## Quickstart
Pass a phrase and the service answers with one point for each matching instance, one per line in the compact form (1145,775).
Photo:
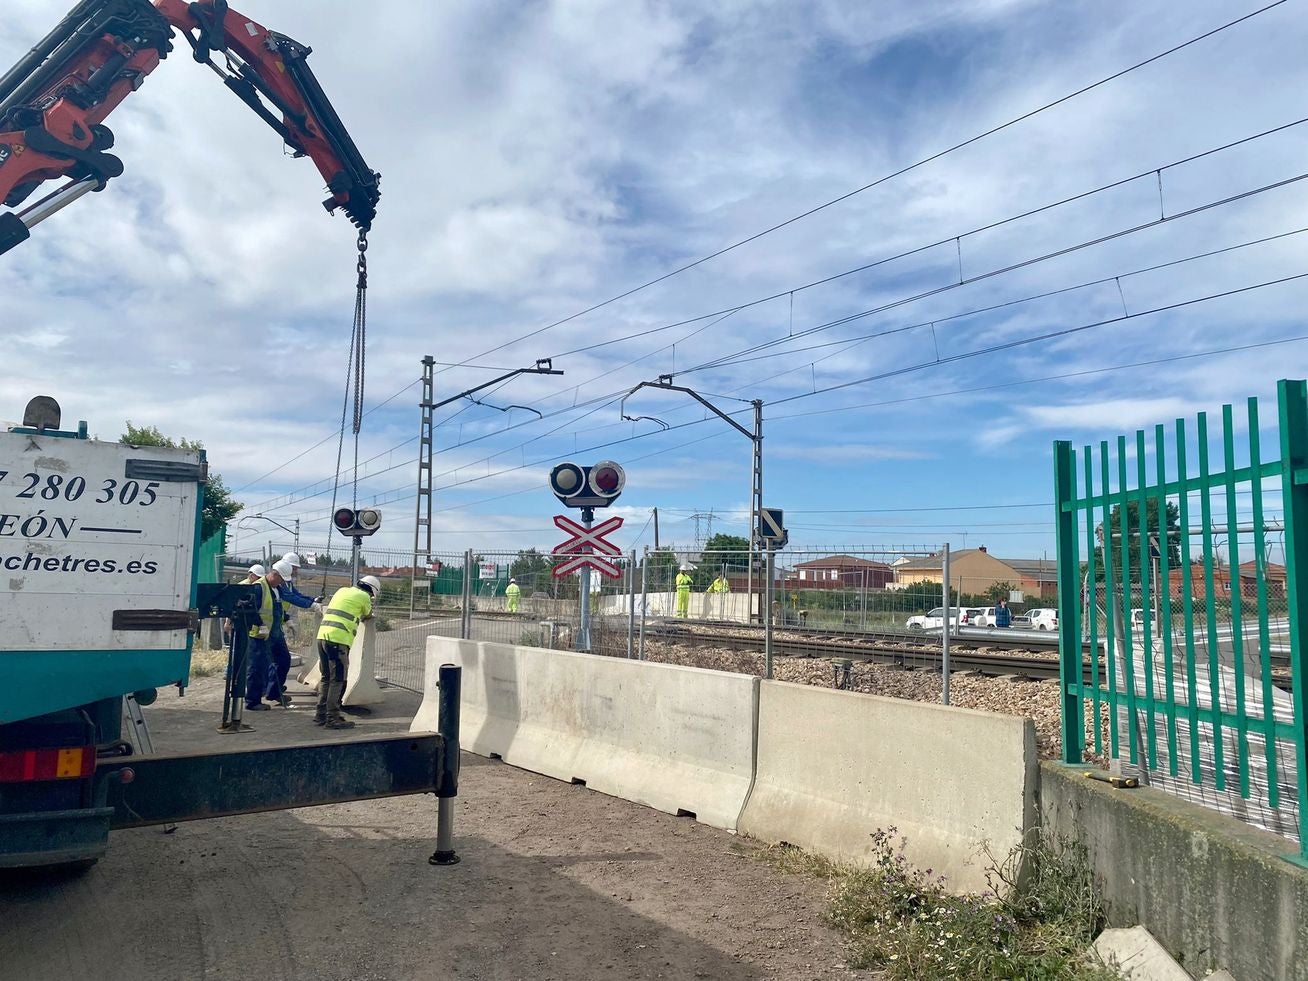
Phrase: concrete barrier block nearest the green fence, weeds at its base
(834,767)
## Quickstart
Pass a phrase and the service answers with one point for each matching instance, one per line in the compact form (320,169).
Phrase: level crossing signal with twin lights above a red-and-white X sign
(587,489)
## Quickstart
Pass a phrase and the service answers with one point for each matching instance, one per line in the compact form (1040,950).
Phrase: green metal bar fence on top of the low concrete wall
(1183,559)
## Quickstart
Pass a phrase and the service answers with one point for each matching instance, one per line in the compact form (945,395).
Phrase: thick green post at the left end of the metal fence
(1071,672)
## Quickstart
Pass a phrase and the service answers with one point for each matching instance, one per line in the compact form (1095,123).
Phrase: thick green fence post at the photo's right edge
(1293,402)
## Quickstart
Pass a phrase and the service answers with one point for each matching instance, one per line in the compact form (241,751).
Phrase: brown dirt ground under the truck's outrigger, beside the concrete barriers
(557,884)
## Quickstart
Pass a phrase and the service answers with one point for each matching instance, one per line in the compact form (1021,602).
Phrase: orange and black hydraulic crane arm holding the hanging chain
(53,104)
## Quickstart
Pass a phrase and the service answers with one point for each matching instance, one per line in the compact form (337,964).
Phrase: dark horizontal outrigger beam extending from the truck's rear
(146,791)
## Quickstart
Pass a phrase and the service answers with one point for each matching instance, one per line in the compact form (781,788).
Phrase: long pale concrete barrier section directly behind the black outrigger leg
(674,738)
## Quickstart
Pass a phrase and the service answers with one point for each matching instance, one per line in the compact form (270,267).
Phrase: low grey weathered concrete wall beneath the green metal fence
(1216,893)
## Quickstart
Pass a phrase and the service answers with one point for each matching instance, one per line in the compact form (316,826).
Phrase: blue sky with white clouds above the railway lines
(542,159)
